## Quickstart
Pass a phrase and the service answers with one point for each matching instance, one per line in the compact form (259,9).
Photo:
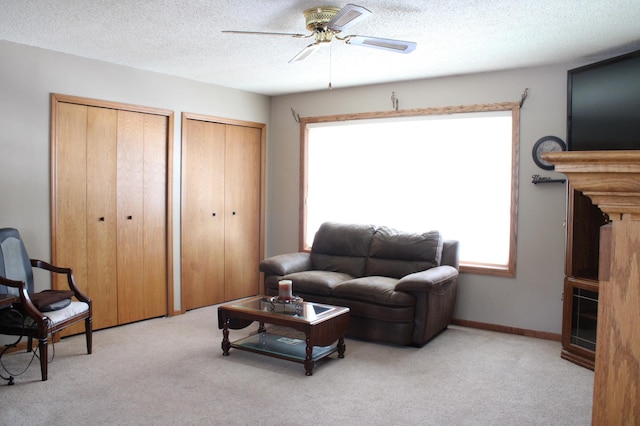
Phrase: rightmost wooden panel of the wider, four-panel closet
(155,217)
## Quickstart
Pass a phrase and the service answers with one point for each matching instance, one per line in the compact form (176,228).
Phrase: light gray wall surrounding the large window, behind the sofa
(530,301)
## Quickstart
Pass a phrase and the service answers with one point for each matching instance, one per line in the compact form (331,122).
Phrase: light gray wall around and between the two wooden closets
(27,78)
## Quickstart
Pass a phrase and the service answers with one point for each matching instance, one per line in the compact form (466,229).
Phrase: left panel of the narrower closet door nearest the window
(203,214)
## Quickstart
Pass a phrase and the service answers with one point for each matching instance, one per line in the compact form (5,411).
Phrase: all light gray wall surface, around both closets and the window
(530,301)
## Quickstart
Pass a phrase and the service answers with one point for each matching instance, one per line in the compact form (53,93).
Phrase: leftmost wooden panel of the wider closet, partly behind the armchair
(70,246)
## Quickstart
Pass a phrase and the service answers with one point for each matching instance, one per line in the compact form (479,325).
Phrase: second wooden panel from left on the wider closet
(101,215)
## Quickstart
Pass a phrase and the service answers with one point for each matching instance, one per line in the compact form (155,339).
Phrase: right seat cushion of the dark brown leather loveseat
(374,289)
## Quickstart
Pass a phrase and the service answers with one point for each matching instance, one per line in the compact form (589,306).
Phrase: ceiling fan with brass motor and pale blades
(326,22)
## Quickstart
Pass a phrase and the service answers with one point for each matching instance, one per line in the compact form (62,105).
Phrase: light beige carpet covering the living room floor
(171,371)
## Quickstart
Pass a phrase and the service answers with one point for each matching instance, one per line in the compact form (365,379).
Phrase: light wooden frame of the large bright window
(507,269)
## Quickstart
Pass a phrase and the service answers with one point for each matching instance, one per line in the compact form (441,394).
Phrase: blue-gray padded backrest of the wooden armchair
(15,263)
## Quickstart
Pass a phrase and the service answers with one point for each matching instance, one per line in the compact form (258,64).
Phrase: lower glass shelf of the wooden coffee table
(282,347)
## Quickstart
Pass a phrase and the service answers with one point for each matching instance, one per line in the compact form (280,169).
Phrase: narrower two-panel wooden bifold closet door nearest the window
(222,209)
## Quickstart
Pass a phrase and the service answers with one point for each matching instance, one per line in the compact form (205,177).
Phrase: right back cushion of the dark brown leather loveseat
(396,254)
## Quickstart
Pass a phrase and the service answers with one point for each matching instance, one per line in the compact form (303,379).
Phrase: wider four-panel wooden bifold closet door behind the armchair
(109,209)
